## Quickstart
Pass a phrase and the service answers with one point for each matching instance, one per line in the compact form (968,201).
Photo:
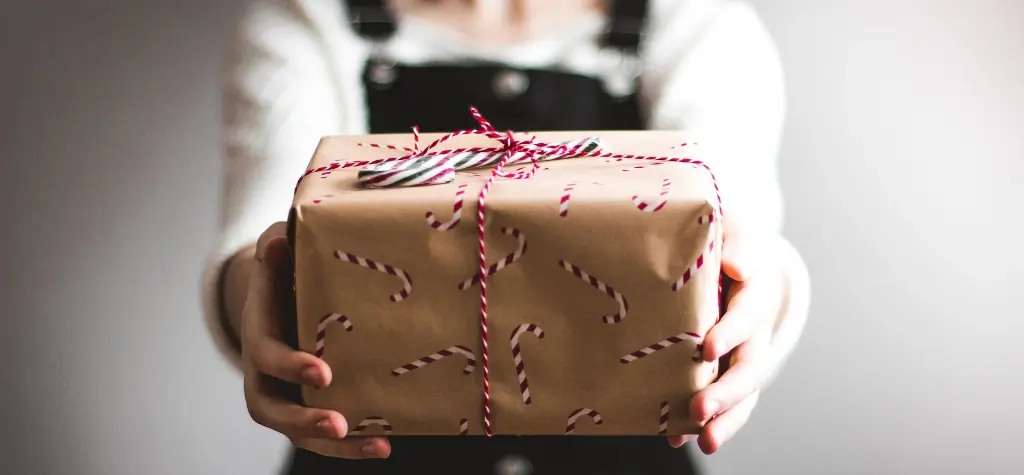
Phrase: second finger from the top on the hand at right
(744,378)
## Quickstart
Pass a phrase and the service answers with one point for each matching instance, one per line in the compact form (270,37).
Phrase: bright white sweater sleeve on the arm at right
(713,70)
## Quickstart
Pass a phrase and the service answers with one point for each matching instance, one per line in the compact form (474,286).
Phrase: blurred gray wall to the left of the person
(111,163)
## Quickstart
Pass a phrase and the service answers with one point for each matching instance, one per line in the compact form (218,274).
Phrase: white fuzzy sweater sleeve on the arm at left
(279,101)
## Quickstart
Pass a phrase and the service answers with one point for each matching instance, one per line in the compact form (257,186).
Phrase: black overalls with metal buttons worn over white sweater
(438,99)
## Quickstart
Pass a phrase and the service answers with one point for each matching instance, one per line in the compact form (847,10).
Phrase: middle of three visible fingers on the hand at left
(289,419)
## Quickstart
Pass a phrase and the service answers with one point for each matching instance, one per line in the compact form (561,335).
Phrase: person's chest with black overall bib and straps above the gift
(586,83)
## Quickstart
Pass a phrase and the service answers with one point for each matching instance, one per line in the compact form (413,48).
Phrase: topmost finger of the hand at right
(751,310)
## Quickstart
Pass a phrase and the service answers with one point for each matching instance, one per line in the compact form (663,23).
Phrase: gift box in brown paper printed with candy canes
(602,277)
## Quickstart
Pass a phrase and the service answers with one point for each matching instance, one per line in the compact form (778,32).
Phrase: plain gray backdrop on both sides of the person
(903,171)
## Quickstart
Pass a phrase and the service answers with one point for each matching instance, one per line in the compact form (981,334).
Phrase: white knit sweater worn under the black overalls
(294,75)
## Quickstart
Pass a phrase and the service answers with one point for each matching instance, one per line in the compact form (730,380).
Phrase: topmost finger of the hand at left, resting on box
(263,344)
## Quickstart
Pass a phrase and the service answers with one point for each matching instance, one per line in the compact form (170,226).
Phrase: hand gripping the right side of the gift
(746,330)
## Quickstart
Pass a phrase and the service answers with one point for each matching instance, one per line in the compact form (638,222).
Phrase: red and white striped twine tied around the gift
(509,147)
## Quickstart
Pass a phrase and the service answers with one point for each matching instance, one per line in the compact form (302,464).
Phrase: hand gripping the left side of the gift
(270,364)
